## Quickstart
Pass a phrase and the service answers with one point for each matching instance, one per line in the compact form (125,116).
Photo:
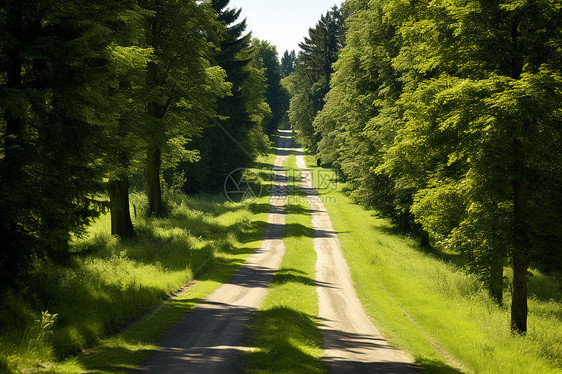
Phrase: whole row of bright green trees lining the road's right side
(446,117)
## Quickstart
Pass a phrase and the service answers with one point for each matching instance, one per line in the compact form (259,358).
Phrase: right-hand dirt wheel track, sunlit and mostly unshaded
(352,343)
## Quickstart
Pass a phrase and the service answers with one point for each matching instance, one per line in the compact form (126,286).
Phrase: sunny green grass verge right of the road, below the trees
(436,311)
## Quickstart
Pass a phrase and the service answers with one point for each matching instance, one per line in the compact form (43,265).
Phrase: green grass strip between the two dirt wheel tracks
(285,333)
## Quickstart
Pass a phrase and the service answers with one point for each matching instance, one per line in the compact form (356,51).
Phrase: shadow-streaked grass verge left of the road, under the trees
(110,283)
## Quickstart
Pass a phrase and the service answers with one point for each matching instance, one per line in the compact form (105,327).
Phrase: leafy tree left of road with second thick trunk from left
(179,73)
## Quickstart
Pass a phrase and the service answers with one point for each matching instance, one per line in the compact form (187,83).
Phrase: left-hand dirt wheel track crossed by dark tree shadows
(209,339)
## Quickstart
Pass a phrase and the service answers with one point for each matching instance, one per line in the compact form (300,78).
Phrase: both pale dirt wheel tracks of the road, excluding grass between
(209,340)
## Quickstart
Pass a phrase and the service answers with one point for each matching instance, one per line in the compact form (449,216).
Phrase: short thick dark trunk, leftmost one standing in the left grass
(121,224)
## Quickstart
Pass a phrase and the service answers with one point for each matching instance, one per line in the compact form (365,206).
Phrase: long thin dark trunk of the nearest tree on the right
(520,243)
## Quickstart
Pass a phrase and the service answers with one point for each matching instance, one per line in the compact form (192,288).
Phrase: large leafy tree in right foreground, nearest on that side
(493,100)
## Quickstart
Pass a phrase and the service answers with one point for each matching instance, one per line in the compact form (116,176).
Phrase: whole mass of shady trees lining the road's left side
(92,94)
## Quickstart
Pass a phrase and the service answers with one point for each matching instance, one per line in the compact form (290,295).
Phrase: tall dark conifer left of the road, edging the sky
(237,135)
